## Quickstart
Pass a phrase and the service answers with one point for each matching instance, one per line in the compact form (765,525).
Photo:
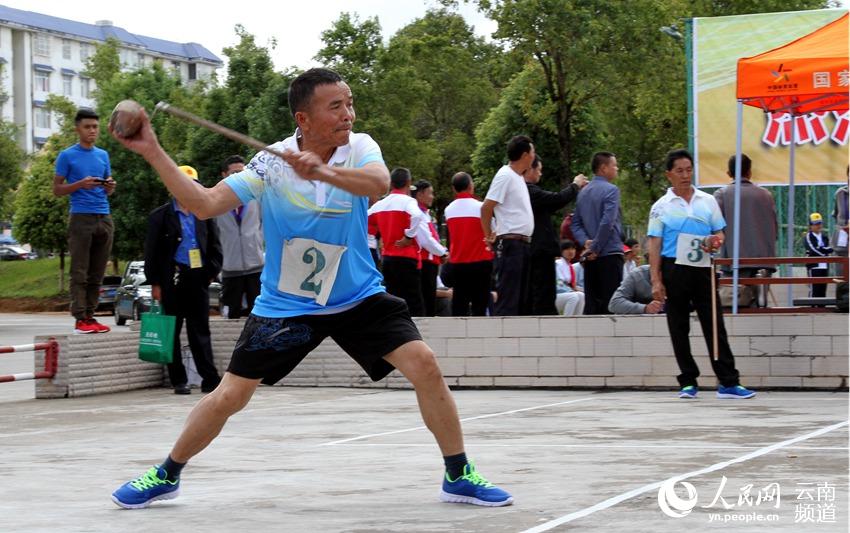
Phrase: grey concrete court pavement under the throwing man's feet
(308,459)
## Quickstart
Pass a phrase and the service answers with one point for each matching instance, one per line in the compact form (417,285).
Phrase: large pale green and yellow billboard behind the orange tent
(821,138)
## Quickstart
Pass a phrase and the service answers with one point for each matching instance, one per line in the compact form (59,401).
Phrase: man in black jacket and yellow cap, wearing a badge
(182,257)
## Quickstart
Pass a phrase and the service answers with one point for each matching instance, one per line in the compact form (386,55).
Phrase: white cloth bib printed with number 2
(309,268)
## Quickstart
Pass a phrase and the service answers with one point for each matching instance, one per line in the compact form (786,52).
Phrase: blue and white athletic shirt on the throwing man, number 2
(317,252)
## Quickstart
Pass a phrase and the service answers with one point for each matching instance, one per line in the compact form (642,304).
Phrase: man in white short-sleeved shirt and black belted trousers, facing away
(508,200)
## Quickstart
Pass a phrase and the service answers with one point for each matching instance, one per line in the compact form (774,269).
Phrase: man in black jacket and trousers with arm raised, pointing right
(545,246)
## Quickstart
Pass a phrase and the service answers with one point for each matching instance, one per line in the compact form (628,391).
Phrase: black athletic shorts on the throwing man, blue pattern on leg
(270,348)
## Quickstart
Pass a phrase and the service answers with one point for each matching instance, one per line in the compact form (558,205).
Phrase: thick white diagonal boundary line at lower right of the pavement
(610,502)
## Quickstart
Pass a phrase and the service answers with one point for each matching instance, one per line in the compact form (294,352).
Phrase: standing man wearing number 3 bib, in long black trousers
(685,227)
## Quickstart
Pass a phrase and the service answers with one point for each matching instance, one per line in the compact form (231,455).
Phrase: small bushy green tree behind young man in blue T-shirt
(41,218)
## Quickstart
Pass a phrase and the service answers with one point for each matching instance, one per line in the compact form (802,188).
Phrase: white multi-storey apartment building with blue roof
(42,55)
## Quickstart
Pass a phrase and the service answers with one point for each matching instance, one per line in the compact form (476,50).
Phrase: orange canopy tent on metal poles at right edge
(804,76)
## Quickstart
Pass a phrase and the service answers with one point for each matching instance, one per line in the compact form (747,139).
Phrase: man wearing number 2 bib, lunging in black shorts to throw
(319,281)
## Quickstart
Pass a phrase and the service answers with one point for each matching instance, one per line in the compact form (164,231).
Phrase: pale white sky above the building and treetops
(297,30)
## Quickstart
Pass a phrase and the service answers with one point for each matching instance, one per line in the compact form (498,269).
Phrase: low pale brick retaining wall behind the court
(787,351)
